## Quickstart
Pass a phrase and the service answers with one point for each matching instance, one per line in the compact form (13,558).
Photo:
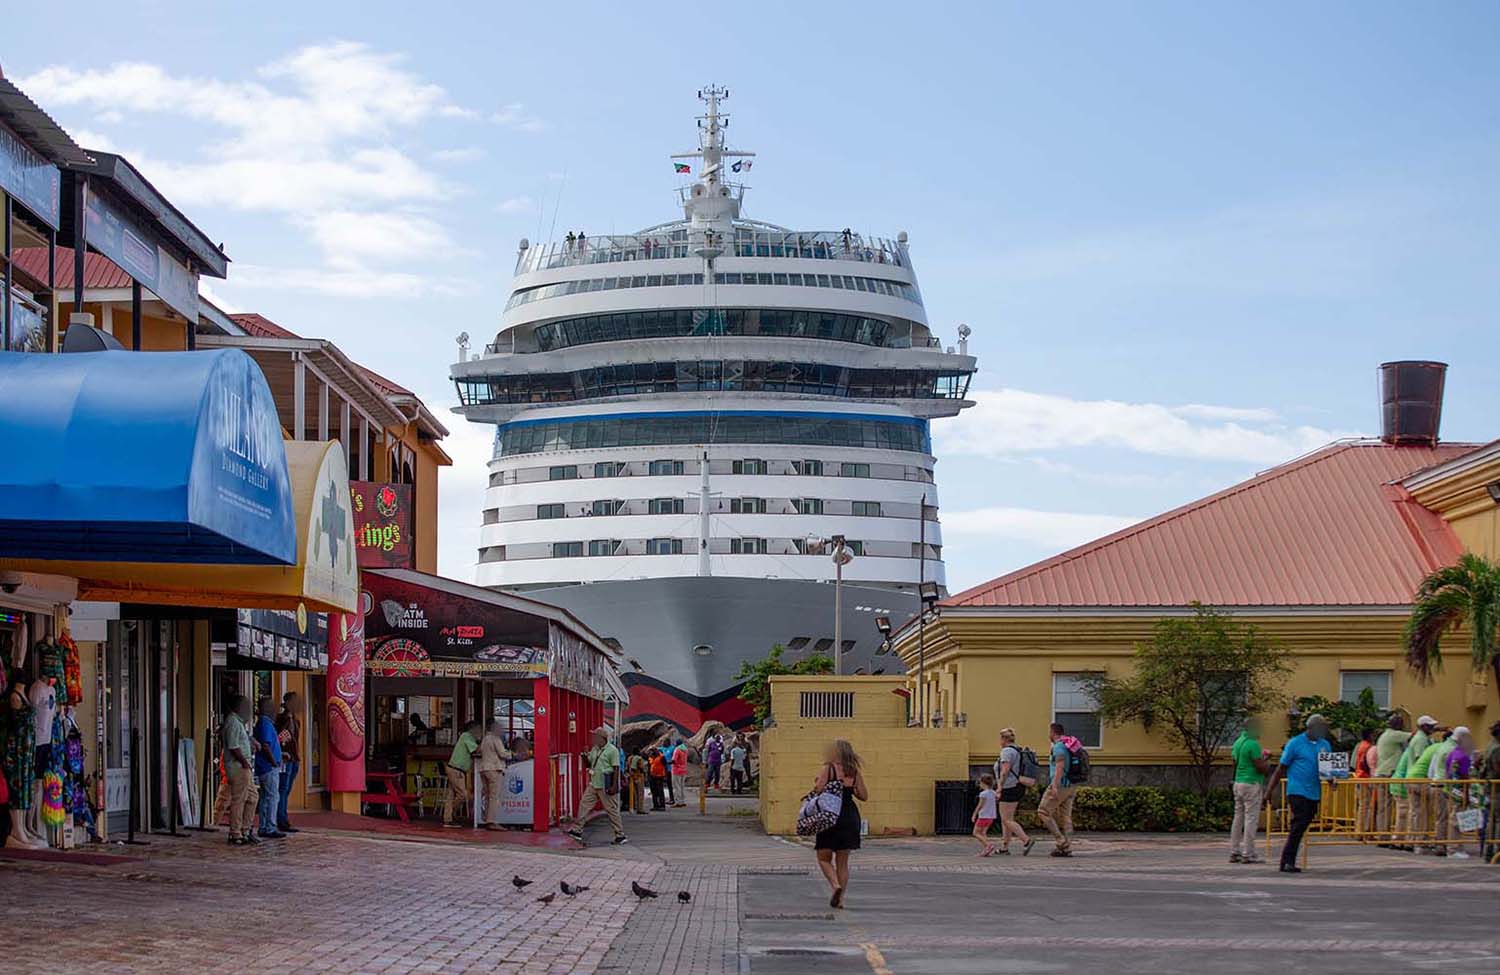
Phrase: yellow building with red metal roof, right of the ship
(1322,554)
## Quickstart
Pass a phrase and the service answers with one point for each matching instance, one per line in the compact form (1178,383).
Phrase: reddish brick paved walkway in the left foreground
(319,902)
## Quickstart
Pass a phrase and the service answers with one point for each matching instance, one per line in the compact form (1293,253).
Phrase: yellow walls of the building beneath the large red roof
(1000,671)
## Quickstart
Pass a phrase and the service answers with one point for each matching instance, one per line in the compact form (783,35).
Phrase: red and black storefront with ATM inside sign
(442,653)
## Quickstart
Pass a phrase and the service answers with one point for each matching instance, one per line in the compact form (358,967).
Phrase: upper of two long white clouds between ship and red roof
(1010,422)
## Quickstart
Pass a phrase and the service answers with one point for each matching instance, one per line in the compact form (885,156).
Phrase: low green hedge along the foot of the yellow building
(1141,809)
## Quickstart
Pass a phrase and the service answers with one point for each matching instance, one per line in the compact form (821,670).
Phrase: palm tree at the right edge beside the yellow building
(1463,593)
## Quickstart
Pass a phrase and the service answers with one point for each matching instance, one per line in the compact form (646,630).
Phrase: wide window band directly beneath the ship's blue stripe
(713,428)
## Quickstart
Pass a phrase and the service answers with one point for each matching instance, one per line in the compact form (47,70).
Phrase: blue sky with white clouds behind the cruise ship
(1184,235)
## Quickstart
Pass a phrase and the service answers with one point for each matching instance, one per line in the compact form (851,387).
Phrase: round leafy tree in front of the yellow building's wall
(1198,677)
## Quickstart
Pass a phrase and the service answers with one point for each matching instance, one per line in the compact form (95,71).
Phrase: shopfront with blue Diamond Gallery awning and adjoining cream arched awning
(161,488)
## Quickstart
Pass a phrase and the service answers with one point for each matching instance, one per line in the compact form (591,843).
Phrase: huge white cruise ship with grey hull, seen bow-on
(704,427)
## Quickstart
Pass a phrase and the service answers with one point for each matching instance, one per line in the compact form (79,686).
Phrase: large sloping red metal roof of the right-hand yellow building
(1327,530)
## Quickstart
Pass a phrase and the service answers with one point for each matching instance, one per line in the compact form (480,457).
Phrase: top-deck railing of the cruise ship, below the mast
(746,244)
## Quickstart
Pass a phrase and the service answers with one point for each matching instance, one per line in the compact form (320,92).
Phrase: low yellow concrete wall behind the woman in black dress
(901,764)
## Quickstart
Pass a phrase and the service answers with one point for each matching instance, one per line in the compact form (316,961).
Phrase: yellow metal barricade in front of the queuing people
(1414,815)
